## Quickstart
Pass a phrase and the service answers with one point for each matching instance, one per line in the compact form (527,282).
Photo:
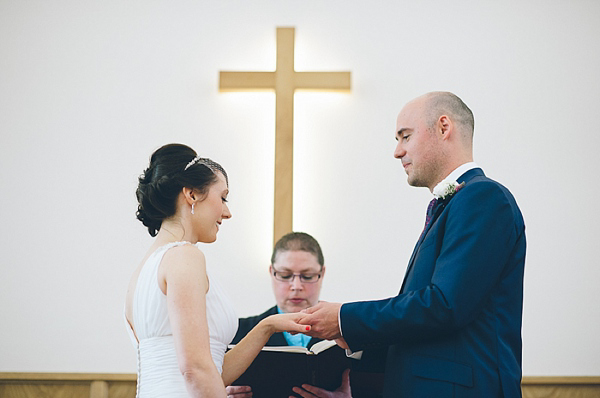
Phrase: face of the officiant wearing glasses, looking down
(294,295)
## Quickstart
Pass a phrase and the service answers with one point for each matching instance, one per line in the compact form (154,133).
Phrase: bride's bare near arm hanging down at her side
(183,272)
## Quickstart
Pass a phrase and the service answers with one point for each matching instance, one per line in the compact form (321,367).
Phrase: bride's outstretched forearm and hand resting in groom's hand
(241,356)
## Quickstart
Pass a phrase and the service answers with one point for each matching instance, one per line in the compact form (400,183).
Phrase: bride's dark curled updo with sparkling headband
(172,167)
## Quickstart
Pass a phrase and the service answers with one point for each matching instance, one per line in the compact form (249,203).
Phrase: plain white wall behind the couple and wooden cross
(89,89)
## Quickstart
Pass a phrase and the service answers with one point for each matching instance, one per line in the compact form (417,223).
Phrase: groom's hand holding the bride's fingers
(323,319)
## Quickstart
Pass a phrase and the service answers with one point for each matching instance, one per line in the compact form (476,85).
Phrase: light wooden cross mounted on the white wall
(284,80)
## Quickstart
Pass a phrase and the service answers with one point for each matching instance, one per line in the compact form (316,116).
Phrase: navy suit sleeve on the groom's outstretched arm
(479,234)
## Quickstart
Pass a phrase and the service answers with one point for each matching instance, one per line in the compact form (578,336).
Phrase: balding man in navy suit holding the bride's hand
(454,329)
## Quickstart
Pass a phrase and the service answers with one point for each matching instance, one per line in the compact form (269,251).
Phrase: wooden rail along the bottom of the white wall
(121,385)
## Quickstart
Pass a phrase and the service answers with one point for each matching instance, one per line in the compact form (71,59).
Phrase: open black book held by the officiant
(277,369)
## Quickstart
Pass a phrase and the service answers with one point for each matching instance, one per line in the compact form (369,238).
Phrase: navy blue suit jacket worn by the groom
(454,330)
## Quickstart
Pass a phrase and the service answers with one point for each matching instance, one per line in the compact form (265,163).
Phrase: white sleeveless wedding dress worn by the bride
(158,372)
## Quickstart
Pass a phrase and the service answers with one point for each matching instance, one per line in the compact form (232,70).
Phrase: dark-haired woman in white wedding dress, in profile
(178,317)
